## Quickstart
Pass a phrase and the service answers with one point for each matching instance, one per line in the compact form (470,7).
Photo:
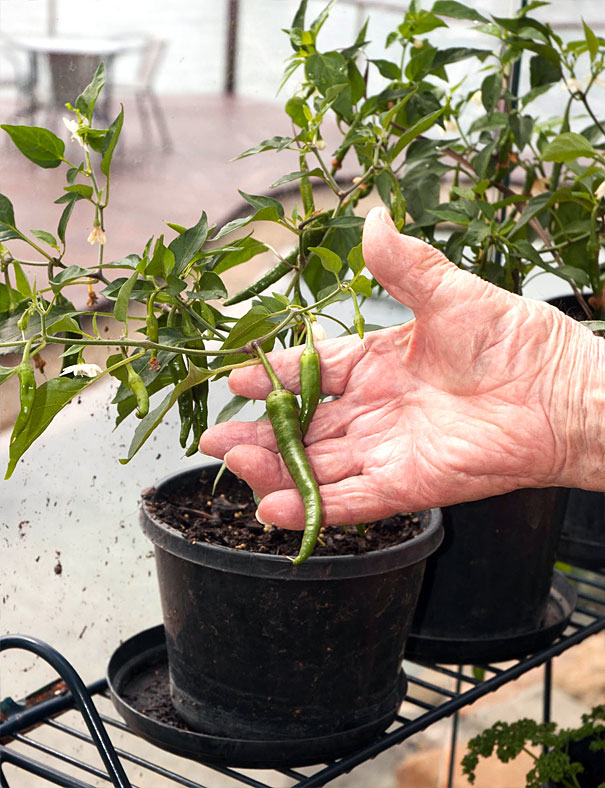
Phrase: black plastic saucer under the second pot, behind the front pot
(464,651)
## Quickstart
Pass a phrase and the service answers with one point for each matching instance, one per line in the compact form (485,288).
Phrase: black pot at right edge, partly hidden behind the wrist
(583,538)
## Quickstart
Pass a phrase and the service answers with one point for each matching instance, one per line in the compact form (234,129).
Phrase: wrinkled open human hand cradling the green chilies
(482,393)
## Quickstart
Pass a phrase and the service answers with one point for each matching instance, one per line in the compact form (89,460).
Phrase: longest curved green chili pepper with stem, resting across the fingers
(282,410)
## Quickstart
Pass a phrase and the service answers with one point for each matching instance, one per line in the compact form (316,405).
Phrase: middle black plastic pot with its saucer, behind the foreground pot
(486,591)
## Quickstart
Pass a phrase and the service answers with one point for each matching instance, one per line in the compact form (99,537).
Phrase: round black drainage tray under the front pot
(138,682)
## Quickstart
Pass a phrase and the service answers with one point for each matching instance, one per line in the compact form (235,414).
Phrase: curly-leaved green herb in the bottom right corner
(556,762)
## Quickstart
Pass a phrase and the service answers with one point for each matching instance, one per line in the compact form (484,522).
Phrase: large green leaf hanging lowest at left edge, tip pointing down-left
(50,398)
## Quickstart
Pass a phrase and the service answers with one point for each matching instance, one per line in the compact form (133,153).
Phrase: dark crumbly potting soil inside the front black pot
(228,519)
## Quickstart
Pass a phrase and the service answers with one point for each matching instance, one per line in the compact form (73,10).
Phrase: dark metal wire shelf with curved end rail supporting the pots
(77,748)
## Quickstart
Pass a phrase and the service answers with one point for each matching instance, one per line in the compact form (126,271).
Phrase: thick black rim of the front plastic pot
(227,559)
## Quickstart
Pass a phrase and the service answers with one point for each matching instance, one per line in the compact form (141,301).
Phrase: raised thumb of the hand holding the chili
(411,270)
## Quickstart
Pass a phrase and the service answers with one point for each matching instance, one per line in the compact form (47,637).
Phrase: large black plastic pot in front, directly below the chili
(261,649)
